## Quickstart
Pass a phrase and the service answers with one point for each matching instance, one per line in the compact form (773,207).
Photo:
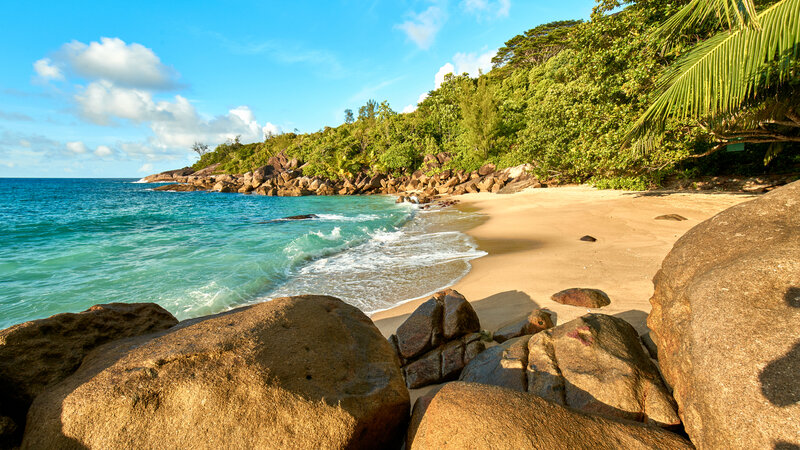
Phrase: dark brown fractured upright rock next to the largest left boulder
(438,339)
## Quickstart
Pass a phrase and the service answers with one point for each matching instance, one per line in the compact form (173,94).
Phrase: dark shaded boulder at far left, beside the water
(40,353)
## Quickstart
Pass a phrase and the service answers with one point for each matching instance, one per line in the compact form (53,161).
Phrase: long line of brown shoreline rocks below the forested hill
(284,177)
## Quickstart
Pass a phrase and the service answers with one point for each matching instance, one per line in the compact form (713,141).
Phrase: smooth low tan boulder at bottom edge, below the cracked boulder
(468,415)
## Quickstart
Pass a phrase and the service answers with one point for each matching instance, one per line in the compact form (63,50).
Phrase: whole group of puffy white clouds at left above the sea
(122,85)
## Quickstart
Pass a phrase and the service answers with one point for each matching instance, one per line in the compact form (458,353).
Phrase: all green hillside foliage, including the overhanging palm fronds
(563,97)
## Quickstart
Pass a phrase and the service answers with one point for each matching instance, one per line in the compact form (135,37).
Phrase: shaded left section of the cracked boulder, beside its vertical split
(502,365)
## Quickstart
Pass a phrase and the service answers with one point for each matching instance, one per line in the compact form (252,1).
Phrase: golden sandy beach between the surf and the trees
(534,250)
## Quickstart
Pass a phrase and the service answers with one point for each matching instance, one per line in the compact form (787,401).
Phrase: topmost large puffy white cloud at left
(111,59)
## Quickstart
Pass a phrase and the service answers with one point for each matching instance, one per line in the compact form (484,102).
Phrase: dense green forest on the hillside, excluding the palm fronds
(563,97)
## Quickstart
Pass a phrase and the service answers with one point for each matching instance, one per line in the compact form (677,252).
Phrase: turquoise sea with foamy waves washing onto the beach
(67,244)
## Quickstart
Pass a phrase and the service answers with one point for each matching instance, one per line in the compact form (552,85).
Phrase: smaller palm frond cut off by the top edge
(732,14)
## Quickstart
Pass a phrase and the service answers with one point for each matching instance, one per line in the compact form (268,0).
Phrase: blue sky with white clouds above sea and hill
(123,89)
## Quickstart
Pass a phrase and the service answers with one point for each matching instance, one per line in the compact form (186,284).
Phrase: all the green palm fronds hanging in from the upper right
(727,72)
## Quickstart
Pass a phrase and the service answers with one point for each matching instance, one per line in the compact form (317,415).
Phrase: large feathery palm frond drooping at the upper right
(723,72)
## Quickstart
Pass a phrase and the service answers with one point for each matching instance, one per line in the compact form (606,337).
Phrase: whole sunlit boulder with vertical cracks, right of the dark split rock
(595,363)
